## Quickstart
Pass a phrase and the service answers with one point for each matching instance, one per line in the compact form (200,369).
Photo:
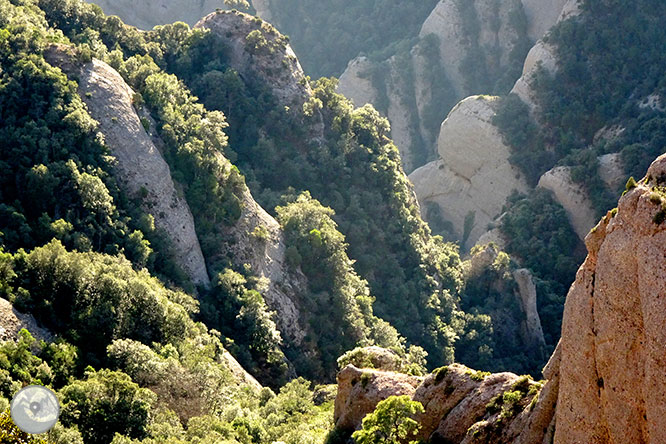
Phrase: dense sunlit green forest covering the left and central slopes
(140,350)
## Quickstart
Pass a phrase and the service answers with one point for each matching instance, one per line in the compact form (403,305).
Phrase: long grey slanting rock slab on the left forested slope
(141,170)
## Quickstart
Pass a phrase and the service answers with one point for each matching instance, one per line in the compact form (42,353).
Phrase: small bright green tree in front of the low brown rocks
(391,423)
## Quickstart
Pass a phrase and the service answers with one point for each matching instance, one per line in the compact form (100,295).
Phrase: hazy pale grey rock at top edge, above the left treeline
(146,14)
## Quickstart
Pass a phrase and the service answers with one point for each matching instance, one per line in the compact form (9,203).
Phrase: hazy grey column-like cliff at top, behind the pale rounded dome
(487,34)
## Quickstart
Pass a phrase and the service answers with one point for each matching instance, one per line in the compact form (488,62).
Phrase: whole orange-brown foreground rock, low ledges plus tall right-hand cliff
(604,380)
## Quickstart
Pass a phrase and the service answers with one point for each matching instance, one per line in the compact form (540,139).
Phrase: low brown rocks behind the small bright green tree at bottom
(455,401)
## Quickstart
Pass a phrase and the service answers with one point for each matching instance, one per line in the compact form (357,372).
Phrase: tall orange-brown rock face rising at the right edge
(613,337)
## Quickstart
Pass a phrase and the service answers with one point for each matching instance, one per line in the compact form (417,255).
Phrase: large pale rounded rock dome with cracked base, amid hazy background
(473,178)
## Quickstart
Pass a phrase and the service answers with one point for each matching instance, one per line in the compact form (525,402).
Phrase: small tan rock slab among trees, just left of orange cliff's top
(572,197)
